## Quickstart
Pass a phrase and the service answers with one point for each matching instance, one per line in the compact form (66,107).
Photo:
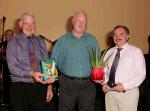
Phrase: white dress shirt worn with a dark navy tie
(131,70)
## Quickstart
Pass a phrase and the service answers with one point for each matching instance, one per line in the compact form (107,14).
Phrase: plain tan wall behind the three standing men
(103,15)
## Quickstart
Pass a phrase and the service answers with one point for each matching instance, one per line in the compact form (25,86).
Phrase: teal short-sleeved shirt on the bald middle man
(72,55)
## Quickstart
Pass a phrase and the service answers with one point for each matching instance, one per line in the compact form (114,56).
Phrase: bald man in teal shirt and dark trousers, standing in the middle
(72,57)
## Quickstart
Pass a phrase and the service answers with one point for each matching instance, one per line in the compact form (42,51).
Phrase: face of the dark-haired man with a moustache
(120,37)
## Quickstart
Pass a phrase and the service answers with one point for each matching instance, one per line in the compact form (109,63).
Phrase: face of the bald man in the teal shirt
(79,23)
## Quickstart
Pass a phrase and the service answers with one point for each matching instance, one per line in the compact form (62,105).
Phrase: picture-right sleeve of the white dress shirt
(138,73)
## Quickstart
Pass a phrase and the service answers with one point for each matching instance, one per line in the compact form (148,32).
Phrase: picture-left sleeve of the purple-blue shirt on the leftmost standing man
(13,61)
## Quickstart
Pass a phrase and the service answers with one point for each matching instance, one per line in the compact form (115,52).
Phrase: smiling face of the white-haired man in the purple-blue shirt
(28,25)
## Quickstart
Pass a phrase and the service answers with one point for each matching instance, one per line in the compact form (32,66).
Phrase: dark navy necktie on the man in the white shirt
(111,81)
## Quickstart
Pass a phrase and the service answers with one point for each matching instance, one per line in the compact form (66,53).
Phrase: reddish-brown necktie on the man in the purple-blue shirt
(32,54)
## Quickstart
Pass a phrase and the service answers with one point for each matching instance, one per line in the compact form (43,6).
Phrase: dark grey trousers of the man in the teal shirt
(76,92)
